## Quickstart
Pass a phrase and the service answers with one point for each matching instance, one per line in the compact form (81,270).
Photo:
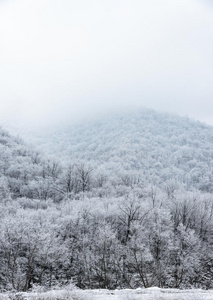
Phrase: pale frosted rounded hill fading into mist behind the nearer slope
(154,146)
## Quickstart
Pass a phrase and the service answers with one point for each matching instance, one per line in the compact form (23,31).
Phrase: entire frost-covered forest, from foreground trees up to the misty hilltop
(124,202)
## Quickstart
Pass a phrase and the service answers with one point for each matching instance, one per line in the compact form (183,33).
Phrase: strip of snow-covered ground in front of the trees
(138,294)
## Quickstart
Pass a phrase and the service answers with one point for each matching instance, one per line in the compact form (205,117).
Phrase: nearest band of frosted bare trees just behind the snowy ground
(149,237)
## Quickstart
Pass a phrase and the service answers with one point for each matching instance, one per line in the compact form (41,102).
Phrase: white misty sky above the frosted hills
(66,59)
